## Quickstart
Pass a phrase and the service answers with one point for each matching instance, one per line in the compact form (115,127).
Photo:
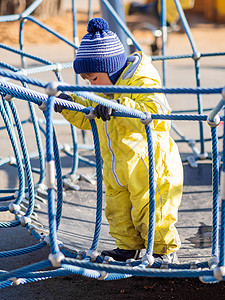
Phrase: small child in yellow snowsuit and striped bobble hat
(101,60)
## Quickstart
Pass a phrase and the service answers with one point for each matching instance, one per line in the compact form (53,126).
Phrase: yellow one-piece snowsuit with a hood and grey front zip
(125,160)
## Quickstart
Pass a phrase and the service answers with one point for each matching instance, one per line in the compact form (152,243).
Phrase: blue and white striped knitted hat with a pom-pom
(100,50)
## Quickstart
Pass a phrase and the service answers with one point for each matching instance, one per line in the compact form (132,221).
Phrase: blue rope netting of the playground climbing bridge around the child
(66,261)
